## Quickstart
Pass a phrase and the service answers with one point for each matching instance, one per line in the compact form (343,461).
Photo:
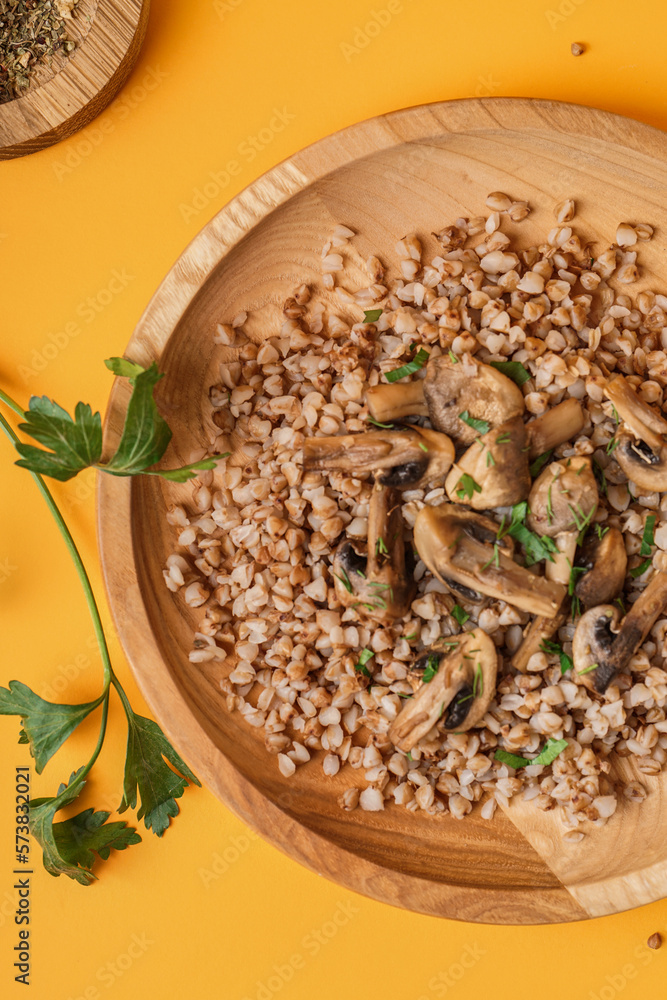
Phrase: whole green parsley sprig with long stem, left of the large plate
(72,846)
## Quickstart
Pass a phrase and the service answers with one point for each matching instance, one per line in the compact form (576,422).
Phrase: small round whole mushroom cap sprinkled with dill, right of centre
(563,496)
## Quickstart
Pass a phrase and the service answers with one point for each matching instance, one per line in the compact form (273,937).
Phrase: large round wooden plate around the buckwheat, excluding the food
(414,170)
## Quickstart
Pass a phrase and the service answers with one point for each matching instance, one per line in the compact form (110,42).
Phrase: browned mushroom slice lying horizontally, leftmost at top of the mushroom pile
(404,459)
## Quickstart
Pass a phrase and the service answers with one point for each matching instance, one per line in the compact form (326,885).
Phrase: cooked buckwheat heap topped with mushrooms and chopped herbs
(439,564)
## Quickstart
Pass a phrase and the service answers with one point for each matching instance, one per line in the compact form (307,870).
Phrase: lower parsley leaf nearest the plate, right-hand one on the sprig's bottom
(146,769)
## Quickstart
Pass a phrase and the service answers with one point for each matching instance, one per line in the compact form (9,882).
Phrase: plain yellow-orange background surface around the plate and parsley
(211,75)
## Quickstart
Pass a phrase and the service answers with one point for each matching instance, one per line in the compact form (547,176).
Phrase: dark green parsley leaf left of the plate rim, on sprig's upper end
(75,443)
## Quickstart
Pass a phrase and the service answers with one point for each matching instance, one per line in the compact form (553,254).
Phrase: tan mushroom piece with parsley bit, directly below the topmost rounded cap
(498,465)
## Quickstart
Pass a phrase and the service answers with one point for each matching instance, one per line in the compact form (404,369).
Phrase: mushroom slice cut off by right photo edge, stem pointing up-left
(641,445)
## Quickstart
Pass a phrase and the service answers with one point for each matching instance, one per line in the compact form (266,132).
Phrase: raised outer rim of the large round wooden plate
(115,498)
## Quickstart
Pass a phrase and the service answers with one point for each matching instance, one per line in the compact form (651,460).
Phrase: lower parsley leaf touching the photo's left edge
(46,725)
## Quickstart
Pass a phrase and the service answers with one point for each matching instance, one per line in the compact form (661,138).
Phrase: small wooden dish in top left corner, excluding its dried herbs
(71,91)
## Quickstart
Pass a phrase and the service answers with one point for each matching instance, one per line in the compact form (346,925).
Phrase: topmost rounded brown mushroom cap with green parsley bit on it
(450,390)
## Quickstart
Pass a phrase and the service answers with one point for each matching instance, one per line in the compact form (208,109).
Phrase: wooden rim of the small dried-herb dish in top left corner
(21,138)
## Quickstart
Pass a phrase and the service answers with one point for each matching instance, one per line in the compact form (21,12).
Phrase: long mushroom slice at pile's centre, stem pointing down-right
(450,550)
